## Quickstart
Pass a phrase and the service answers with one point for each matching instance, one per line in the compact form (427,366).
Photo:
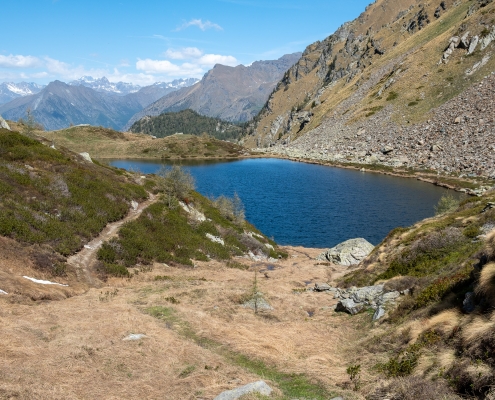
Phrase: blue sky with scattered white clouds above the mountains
(149,41)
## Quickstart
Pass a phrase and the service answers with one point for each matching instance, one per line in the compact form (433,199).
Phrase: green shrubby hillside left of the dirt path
(55,198)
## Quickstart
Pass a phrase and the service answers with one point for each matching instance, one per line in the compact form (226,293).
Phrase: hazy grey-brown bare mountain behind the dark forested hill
(229,93)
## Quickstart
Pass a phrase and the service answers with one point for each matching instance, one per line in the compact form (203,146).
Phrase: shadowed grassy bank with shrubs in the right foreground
(441,334)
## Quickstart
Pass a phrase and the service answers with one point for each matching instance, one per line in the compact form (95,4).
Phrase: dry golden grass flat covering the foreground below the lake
(73,348)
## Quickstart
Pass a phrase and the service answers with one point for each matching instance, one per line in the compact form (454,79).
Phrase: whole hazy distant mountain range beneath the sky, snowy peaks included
(228,93)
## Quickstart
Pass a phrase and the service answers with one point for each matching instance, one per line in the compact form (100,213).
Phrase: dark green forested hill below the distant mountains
(188,122)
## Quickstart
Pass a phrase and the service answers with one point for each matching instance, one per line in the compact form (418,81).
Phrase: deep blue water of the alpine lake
(311,205)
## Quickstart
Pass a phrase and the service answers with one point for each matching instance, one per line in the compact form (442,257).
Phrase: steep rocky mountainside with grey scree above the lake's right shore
(406,84)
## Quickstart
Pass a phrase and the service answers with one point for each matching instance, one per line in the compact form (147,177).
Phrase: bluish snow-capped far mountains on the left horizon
(58,105)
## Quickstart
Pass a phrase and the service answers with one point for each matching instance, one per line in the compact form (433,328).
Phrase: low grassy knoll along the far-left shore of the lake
(106,143)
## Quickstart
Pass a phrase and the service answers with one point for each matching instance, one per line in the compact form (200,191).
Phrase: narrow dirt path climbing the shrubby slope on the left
(84,259)
